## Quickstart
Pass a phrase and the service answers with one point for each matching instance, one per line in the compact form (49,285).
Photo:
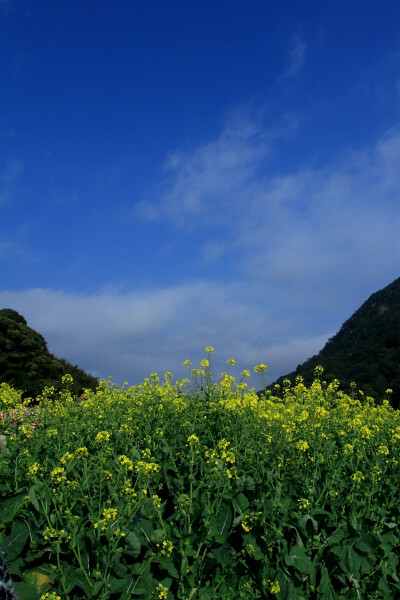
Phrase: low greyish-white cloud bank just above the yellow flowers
(130,335)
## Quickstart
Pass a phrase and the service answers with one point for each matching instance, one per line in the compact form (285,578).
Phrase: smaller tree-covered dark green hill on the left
(26,363)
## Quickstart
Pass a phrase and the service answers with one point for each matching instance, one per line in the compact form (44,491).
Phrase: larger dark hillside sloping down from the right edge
(365,350)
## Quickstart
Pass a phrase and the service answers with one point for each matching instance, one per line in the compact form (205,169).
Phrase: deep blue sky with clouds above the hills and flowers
(176,174)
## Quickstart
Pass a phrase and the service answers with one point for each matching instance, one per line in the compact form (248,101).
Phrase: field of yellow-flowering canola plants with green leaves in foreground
(199,489)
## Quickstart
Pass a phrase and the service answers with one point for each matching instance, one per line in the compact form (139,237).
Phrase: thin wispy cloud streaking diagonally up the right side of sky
(310,228)
